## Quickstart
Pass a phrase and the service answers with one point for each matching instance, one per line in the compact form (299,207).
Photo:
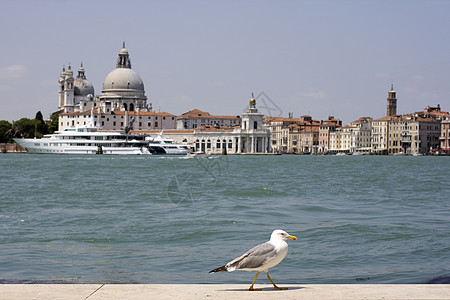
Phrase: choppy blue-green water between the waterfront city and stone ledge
(144,219)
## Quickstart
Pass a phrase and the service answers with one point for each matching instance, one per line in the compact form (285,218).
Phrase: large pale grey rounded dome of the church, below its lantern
(123,79)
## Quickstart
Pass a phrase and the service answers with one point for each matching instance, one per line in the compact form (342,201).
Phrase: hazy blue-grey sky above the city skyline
(319,58)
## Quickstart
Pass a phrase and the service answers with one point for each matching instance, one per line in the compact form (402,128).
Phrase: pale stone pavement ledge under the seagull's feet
(224,291)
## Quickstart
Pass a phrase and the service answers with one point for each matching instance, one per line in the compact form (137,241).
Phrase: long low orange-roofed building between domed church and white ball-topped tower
(196,118)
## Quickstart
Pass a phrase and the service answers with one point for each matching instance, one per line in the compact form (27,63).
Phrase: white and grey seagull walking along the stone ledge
(261,257)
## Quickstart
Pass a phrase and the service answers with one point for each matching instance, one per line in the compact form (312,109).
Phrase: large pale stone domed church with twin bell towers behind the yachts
(121,102)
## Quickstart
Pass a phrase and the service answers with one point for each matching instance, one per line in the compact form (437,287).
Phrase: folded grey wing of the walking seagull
(255,257)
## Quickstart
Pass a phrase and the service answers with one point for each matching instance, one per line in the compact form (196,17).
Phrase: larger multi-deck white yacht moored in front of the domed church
(86,140)
